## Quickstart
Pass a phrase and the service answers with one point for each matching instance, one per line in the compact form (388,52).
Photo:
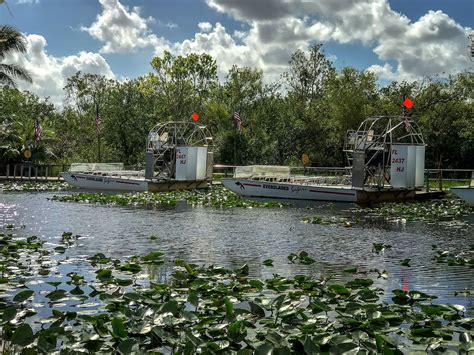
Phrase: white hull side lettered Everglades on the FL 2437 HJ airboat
(285,191)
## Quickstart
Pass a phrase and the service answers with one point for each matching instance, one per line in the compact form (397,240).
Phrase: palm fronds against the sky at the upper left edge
(11,41)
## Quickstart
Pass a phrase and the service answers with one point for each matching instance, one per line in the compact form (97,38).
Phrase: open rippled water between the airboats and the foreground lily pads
(231,237)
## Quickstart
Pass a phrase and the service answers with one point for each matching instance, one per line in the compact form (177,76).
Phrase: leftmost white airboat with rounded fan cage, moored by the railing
(178,156)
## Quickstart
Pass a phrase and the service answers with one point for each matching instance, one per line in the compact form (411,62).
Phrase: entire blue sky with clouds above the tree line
(396,39)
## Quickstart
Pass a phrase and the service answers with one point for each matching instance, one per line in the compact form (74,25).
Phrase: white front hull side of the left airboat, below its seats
(99,182)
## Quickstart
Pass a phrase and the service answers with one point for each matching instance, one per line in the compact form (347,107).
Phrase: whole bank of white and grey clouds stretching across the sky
(433,44)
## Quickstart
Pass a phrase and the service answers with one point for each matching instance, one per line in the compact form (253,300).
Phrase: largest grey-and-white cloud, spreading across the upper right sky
(433,44)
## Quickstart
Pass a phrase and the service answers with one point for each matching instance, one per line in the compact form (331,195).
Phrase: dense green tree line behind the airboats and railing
(307,111)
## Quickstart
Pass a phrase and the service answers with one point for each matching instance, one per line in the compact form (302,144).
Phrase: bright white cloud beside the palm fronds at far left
(50,73)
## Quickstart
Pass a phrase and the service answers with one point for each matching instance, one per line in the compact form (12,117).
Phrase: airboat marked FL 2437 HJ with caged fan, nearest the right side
(386,162)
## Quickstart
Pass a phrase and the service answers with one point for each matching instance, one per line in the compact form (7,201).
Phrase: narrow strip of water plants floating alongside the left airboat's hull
(214,196)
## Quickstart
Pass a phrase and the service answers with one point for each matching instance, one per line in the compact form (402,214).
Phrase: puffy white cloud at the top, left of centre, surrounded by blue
(122,30)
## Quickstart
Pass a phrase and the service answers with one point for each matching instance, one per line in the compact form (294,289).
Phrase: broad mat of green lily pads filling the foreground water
(209,309)
